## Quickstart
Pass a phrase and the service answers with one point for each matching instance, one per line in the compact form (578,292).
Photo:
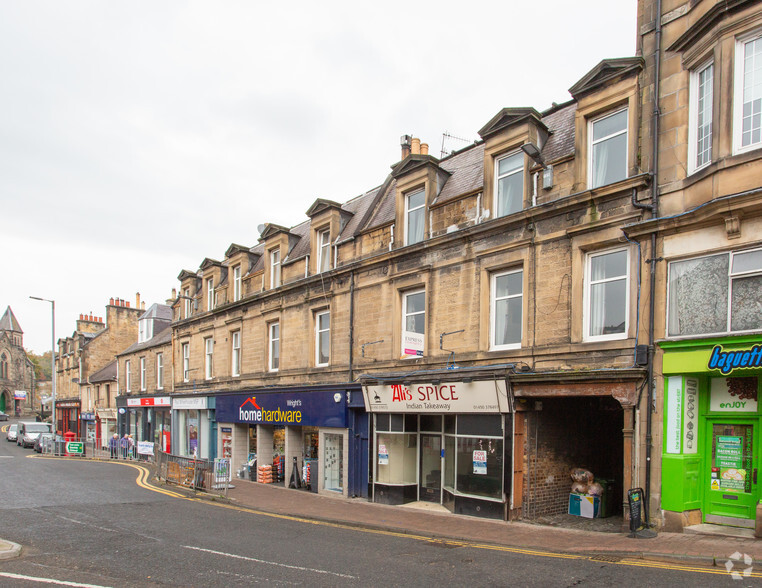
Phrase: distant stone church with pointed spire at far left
(16,370)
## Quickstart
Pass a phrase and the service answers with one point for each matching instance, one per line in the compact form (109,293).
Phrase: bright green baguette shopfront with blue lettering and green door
(712,428)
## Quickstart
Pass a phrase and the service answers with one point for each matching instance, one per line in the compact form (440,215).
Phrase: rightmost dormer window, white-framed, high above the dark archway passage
(608,149)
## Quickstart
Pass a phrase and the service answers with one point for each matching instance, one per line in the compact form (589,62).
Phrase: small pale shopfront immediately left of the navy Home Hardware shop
(193,427)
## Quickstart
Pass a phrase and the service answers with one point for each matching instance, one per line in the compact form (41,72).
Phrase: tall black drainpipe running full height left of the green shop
(652,261)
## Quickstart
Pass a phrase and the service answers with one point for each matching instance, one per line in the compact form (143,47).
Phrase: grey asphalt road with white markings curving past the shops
(92,524)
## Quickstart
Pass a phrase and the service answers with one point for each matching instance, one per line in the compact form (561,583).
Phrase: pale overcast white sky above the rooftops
(138,138)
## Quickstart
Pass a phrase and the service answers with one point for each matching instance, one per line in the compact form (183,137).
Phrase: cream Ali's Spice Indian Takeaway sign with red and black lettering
(452,397)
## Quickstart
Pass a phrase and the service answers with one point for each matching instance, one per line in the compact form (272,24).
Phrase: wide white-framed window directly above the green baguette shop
(715,294)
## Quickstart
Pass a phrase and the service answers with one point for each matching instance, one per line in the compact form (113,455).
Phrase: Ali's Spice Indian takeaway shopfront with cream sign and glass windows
(449,444)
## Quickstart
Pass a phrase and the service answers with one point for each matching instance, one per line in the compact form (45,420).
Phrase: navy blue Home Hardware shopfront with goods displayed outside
(308,438)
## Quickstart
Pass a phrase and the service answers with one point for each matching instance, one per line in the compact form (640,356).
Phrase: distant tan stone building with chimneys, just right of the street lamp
(93,345)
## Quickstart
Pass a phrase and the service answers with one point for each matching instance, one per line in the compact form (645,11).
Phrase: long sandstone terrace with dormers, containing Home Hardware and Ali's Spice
(476,317)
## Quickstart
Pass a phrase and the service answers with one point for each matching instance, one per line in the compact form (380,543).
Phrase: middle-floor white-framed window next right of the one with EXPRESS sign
(506,306)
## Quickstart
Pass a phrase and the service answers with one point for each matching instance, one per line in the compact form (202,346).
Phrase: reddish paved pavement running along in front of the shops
(357,512)
